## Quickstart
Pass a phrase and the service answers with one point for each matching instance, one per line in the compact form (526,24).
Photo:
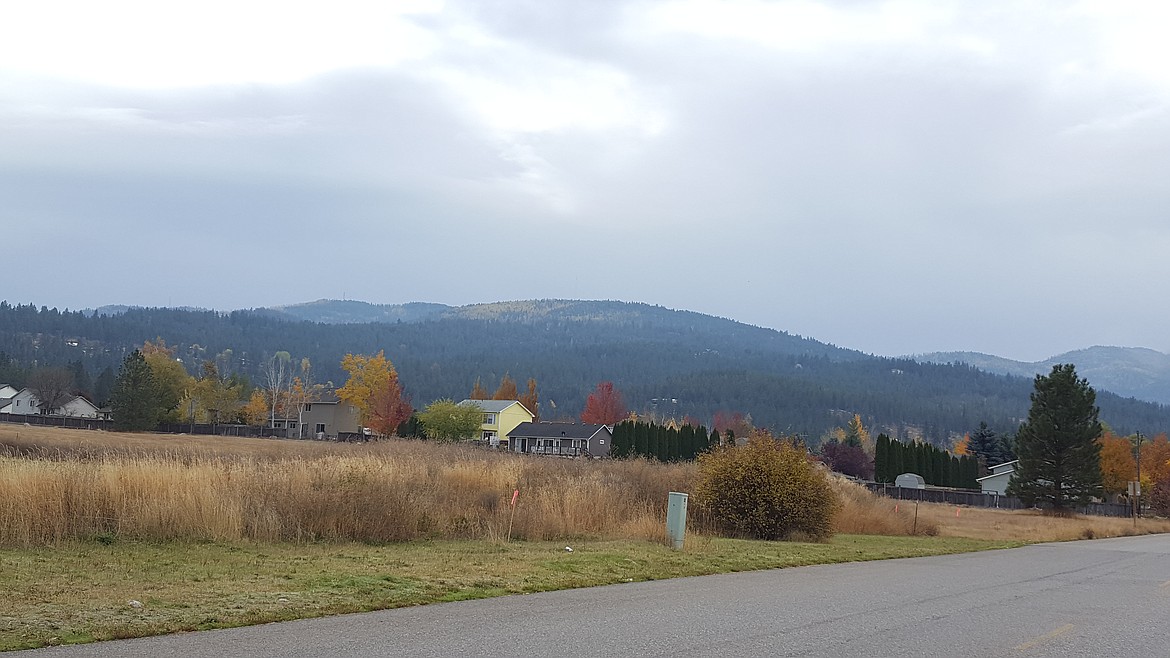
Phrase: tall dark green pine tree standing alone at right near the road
(1059,456)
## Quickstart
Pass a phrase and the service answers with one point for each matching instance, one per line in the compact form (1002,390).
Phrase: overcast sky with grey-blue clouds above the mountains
(893,177)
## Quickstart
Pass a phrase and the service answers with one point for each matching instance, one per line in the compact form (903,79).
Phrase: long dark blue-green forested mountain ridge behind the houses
(669,362)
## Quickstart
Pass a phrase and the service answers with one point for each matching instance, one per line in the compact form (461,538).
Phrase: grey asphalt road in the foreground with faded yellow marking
(1106,598)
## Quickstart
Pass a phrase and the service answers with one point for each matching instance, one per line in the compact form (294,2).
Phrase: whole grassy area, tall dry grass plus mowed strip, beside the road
(107,536)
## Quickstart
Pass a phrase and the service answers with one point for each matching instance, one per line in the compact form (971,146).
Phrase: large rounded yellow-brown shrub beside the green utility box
(766,490)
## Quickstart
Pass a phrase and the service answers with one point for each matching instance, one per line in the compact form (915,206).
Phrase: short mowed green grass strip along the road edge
(82,592)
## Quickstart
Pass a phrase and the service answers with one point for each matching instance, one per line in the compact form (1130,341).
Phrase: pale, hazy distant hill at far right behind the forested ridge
(1135,373)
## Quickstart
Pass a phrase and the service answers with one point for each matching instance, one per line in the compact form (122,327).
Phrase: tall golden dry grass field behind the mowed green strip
(66,485)
